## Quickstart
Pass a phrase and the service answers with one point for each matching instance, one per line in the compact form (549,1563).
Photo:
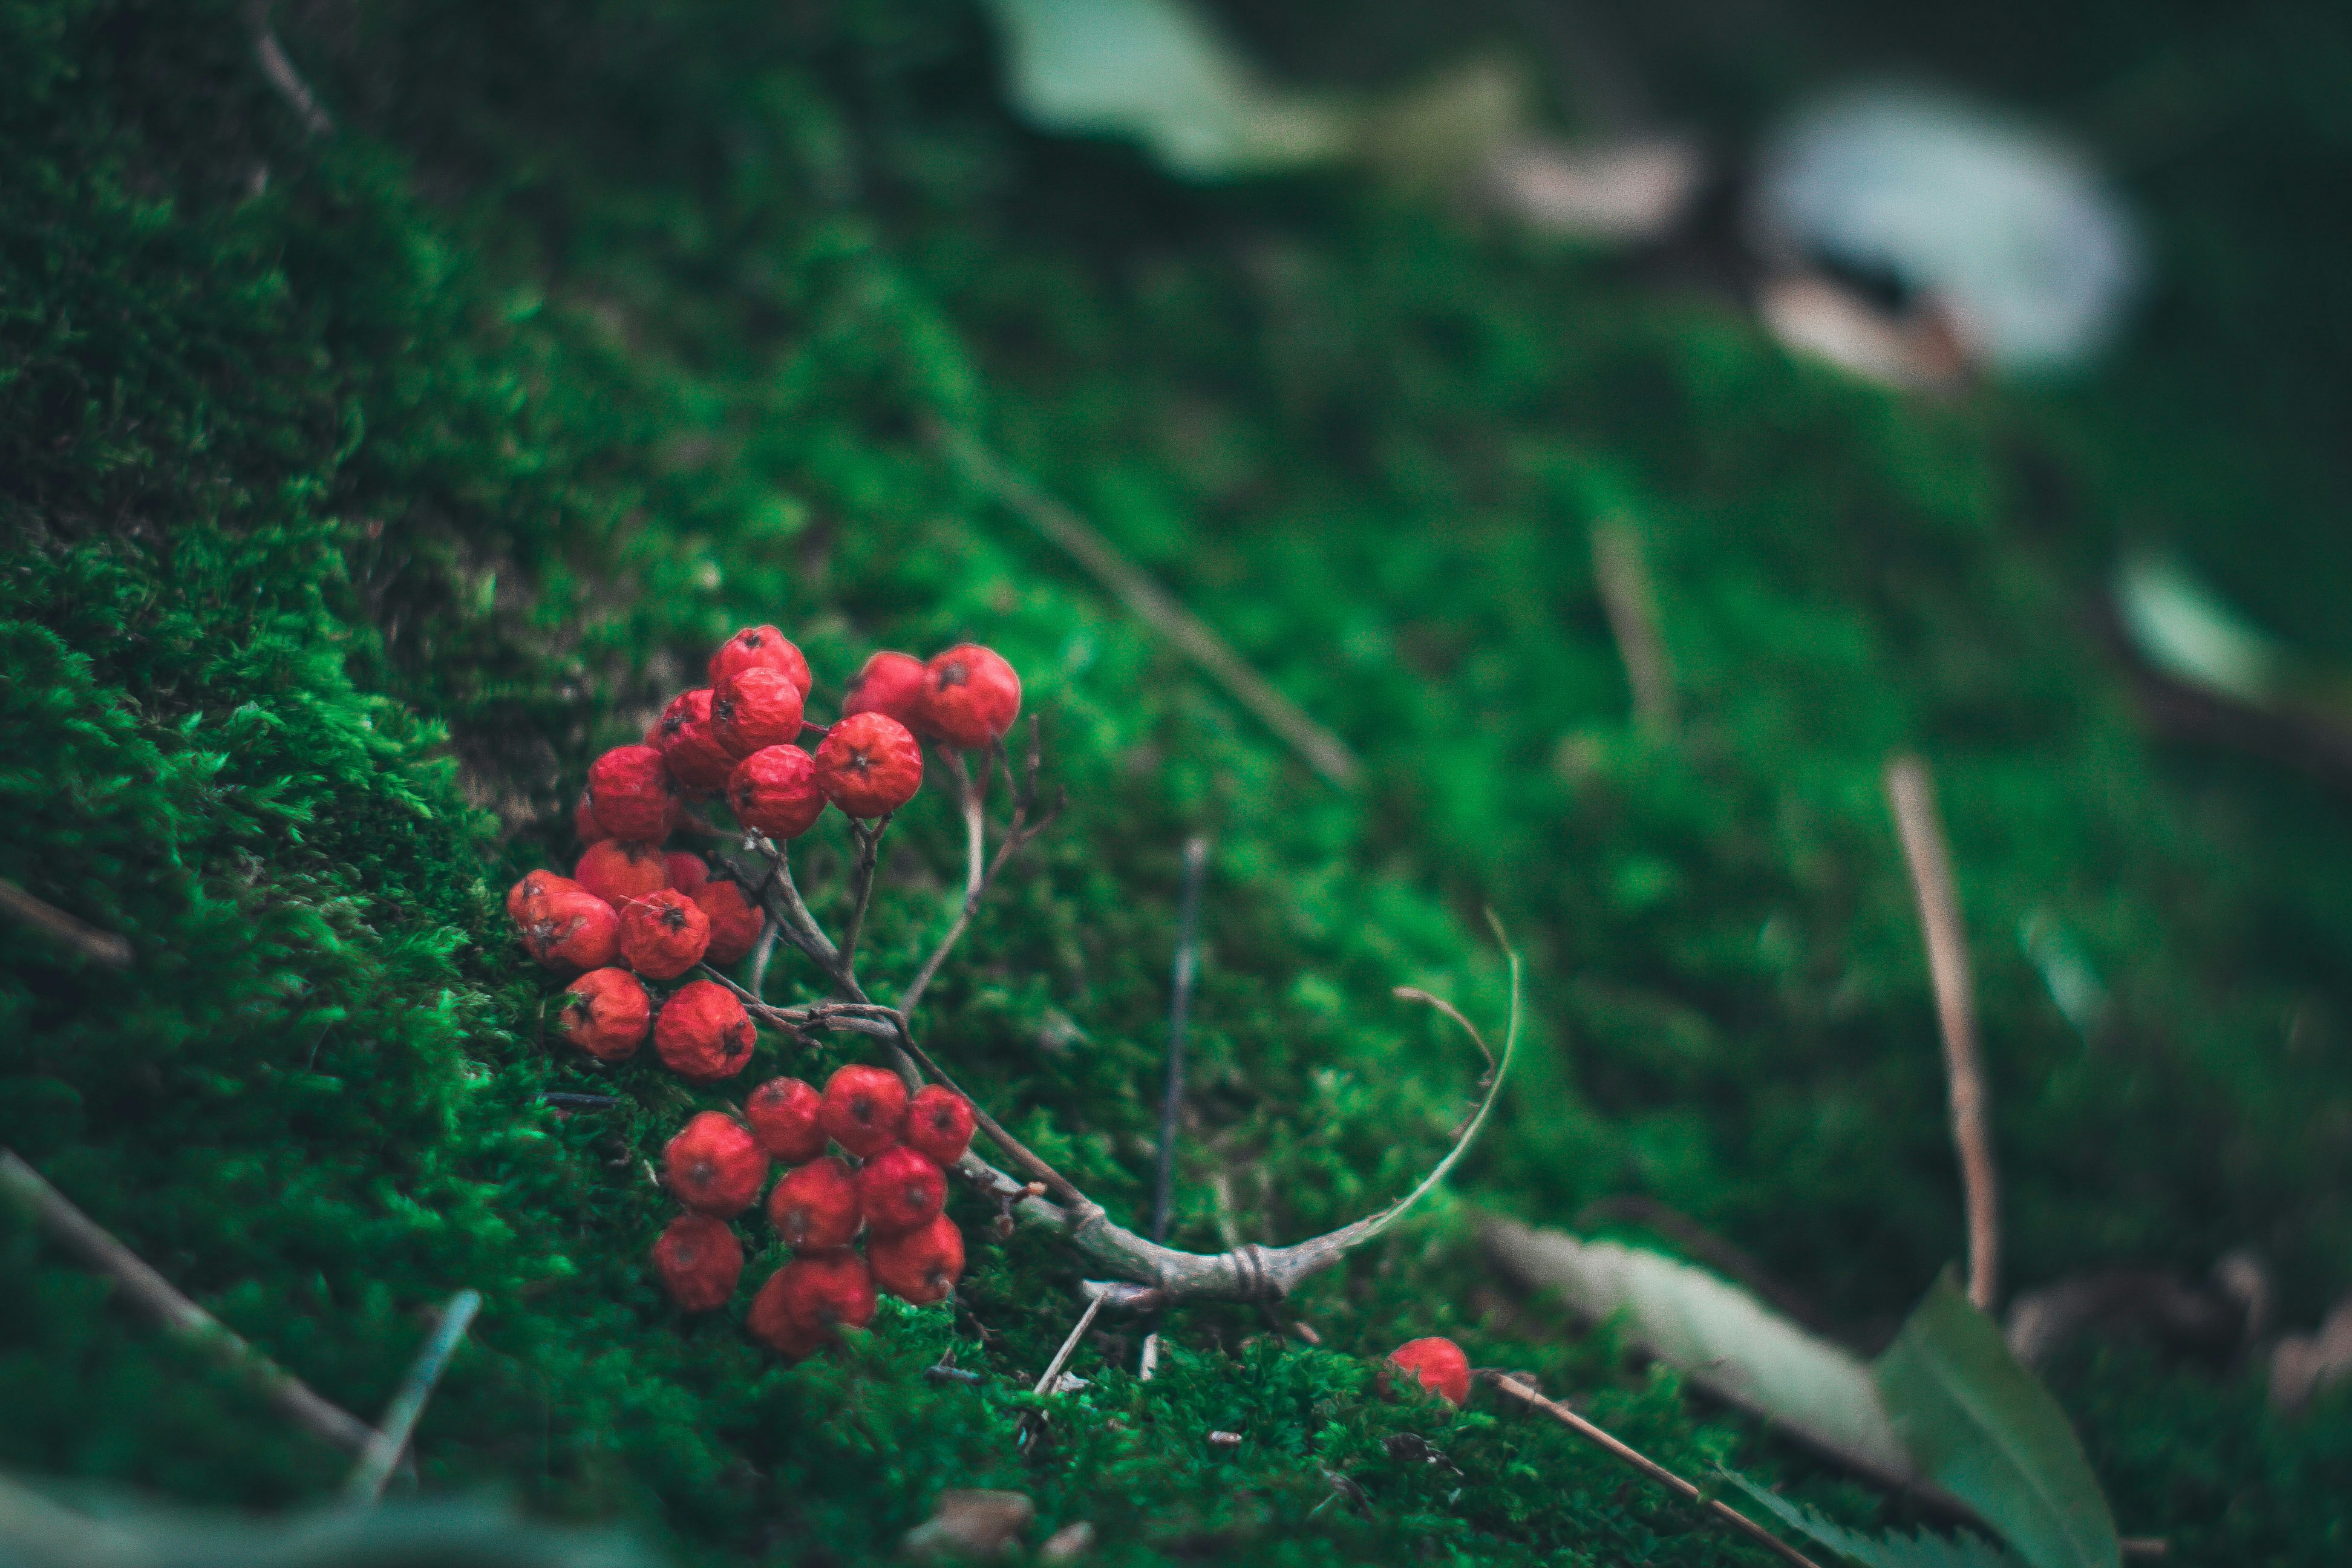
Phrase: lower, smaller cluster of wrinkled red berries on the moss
(895,1195)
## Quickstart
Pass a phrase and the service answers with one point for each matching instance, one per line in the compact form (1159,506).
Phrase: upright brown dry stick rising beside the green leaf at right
(1913,796)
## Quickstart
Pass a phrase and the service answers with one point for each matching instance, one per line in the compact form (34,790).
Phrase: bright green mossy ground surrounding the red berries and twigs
(359,488)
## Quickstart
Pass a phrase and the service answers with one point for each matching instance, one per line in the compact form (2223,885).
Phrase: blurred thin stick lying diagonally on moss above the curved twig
(1154,605)
